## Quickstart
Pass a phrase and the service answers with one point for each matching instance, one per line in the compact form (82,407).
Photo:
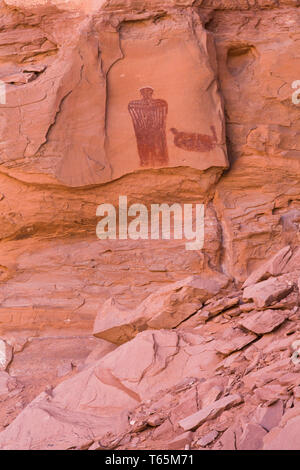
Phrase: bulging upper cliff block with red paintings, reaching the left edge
(79,88)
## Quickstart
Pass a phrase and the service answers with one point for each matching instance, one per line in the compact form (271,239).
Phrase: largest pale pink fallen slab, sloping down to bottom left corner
(96,400)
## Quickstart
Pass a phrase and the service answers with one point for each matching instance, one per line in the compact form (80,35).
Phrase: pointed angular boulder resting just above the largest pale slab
(166,308)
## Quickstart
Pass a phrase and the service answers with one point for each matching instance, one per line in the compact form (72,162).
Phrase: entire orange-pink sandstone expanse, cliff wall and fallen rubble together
(181,101)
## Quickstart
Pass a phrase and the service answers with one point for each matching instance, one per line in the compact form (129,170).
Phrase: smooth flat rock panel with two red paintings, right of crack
(170,64)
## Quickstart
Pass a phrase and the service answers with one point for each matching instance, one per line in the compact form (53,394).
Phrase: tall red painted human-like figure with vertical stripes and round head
(149,118)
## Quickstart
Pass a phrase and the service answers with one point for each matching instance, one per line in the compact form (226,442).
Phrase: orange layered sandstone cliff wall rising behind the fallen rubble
(79,78)
